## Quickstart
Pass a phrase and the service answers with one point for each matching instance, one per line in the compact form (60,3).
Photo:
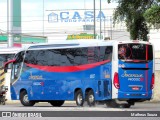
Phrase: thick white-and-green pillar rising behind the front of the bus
(14,22)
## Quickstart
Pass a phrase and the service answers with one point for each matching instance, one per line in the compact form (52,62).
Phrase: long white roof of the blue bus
(80,43)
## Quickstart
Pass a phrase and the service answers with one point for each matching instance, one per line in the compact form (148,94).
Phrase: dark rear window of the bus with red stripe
(137,52)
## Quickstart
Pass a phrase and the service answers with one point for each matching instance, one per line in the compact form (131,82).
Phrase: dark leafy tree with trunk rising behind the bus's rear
(132,12)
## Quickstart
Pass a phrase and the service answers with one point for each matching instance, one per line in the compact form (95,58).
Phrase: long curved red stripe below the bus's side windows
(67,68)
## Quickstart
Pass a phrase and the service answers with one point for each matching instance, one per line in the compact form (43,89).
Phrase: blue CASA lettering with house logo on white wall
(75,16)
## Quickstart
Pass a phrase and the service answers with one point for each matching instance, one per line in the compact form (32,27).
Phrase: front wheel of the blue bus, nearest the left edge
(24,99)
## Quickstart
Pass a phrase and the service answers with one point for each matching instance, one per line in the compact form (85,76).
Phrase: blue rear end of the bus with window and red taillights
(135,69)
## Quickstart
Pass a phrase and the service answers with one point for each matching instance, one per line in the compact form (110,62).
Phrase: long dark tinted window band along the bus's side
(69,56)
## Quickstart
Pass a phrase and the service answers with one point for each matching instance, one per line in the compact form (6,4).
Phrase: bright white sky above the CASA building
(33,10)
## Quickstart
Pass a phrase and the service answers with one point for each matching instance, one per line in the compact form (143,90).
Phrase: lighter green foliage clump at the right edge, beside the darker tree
(152,15)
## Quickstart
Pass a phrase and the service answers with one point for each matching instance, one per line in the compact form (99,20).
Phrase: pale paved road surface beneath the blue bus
(71,106)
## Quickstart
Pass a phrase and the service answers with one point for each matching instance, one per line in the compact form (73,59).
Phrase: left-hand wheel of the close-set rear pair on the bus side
(79,98)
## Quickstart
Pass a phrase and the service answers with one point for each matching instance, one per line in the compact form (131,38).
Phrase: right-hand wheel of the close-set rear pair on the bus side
(91,98)
